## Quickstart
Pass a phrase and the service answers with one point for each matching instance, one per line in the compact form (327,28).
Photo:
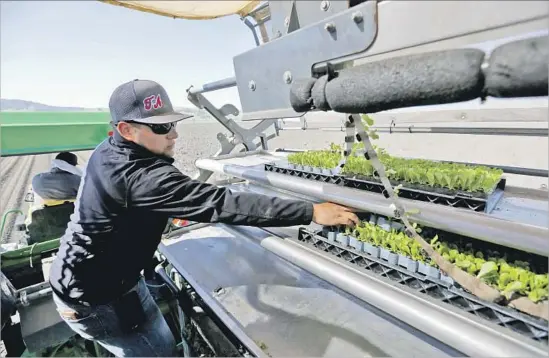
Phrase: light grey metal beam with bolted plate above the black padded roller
(263,78)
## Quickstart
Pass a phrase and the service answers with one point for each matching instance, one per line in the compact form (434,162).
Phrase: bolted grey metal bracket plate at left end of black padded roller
(264,73)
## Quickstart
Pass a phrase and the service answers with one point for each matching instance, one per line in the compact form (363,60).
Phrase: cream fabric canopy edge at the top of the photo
(192,10)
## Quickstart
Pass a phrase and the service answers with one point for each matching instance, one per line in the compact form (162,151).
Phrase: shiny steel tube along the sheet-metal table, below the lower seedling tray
(468,335)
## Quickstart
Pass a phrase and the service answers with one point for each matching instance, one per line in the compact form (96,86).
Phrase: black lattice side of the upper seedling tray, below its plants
(479,202)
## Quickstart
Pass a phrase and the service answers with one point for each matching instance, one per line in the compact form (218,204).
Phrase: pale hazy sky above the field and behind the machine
(74,53)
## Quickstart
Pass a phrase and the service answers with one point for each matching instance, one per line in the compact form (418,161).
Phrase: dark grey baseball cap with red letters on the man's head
(143,101)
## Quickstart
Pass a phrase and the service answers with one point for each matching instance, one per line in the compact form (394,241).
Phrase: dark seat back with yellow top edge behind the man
(49,220)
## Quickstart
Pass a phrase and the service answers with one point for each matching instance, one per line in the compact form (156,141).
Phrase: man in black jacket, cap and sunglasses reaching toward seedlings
(129,190)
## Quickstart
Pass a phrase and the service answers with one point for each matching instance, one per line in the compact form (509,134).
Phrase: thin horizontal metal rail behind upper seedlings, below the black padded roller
(525,132)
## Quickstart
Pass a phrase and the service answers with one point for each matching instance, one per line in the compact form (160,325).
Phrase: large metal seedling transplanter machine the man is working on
(448,260)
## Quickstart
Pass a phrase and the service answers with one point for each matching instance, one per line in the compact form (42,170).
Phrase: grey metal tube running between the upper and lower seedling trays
(483,227)
